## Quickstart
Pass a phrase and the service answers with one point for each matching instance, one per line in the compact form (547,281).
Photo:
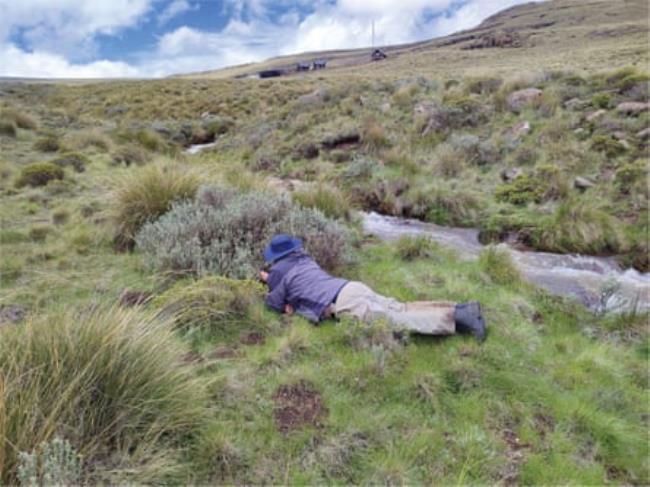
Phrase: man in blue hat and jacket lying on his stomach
(297,284)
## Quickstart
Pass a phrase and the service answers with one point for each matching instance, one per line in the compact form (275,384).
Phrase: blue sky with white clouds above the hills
(156,38)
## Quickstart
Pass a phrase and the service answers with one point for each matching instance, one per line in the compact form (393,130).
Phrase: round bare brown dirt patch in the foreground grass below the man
(297,405)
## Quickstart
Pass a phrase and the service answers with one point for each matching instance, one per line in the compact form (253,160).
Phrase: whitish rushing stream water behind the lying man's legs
(598,282)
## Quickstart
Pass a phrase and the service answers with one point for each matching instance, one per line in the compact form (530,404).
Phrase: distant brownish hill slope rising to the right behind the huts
(561,34)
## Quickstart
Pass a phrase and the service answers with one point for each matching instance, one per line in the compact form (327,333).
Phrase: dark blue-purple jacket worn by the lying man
(299,281)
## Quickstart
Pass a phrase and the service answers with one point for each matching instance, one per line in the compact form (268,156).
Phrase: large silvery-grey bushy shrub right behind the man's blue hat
(228,238)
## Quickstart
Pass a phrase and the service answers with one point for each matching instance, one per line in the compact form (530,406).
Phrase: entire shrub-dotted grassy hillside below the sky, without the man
(135,346)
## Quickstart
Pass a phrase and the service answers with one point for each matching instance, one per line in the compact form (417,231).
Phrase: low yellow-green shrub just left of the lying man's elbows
(212,303)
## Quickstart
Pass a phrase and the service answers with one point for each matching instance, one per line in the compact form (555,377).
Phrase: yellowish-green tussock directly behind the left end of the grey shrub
(146,195)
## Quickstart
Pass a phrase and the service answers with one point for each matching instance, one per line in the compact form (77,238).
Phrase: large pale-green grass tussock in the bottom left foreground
(109,381)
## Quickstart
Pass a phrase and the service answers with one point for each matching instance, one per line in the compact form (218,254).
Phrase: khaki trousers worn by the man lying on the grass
(426,317)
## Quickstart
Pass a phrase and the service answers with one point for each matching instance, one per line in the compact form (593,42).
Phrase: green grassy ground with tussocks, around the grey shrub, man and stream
(571,386)
